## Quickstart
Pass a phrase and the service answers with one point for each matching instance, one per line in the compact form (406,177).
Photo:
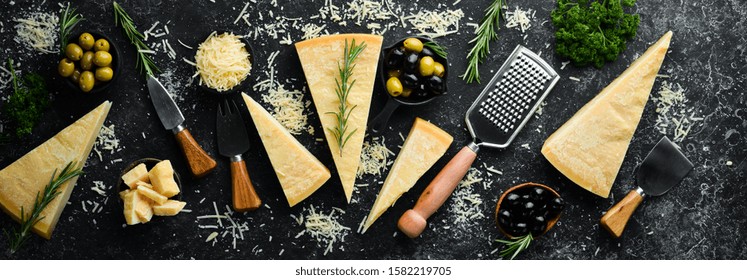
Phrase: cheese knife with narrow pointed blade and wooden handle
(200,163)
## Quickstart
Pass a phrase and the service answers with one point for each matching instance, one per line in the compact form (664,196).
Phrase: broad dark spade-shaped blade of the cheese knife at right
(663,168)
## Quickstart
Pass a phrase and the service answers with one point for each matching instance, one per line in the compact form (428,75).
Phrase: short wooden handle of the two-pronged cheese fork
(244,196)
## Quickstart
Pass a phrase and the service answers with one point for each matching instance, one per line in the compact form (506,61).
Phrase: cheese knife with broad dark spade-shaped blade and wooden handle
(662,169)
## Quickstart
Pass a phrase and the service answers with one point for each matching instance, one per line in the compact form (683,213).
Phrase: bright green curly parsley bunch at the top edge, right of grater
(592,32)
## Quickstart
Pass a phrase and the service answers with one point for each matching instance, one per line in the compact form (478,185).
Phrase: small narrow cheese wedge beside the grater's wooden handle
(425,144)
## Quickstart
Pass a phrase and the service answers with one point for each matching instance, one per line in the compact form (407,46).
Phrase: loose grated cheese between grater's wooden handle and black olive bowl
(466,204)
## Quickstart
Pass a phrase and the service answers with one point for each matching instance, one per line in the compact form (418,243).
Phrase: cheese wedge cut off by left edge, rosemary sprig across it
(27,176)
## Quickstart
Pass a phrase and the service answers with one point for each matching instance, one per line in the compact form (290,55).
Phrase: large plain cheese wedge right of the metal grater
(590,147)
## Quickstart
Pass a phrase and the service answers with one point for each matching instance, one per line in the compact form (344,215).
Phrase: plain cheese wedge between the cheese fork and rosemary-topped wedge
(299,172)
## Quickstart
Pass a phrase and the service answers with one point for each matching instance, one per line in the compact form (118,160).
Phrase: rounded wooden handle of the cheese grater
(413,222)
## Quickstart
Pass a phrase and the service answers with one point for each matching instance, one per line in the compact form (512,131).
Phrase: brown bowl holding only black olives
(529,208)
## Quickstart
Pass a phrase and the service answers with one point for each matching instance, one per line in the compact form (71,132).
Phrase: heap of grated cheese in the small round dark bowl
(222,61)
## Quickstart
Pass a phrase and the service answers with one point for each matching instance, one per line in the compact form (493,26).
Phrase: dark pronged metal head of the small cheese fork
(232,136)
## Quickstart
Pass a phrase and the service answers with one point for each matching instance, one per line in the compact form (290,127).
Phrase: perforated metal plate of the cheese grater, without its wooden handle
(510,99)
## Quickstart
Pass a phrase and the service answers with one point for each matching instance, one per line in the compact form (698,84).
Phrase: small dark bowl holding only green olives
(87,53)
